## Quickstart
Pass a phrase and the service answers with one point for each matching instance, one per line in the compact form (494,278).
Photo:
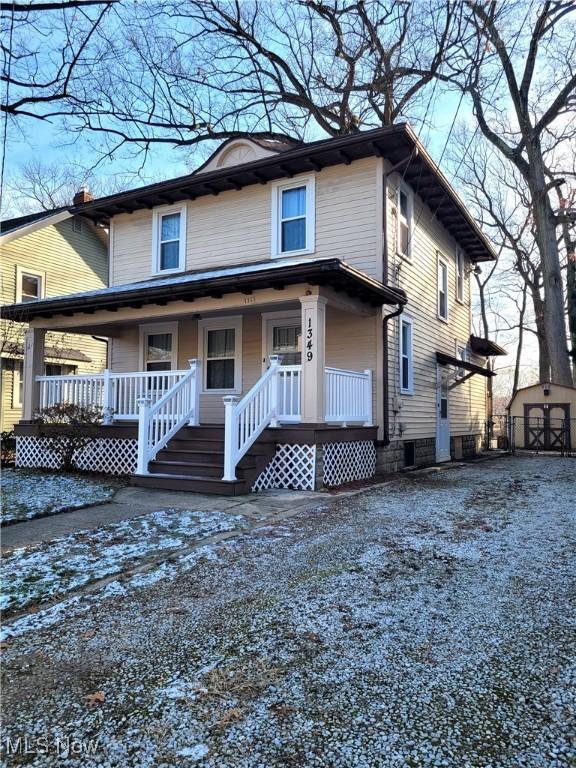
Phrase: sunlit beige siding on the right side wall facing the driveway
(414,416)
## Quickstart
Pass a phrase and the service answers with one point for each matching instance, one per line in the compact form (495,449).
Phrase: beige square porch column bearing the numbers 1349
(313,358)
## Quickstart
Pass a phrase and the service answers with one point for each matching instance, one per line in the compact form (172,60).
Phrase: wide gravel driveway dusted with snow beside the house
(428,622)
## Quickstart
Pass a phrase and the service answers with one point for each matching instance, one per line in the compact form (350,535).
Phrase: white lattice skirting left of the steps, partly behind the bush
(111,456)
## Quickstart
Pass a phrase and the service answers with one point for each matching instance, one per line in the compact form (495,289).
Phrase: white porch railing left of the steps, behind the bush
(116,393)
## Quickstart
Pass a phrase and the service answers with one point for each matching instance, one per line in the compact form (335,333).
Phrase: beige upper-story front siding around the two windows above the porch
(236,227)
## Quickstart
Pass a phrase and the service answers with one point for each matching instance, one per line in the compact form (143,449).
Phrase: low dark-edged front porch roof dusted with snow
(214,283)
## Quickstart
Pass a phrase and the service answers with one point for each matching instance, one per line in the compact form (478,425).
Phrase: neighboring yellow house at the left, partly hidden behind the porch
(51,253)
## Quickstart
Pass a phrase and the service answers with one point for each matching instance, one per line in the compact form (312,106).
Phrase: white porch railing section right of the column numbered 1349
(348,396)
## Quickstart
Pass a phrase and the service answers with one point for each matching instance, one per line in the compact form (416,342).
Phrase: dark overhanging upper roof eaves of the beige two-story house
(397,143)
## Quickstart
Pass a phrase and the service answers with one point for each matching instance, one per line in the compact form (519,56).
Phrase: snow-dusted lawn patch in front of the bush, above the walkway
(26,494)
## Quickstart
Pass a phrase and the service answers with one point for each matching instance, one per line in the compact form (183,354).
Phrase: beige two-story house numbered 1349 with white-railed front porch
(285,316)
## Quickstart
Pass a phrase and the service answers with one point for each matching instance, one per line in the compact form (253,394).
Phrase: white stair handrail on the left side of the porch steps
(159,422)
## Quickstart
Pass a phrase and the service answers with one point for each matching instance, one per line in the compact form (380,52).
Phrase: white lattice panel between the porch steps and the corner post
(293,466)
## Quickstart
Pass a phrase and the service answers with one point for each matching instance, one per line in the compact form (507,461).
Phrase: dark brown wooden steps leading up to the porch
(194,461)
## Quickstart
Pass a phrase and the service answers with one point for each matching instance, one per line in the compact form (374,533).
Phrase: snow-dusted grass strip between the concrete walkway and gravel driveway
(32,575)
